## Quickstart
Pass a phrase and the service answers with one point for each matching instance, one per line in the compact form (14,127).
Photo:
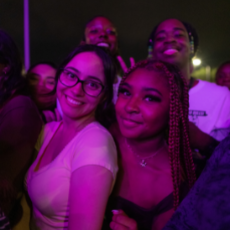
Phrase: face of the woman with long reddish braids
(142,108)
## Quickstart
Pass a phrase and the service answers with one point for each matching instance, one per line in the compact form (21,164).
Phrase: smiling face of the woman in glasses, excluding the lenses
(75,103)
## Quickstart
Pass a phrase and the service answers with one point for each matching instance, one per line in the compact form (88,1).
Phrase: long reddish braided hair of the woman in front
(180,153)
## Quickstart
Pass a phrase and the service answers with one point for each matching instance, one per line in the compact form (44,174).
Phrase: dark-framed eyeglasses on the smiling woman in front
(90,87)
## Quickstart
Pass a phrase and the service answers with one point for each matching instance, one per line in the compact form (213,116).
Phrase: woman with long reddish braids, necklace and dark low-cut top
(156,166)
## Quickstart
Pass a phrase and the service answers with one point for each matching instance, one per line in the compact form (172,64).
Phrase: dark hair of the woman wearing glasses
(104,111)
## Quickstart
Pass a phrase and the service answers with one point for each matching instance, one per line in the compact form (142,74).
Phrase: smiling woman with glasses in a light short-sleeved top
(73,175)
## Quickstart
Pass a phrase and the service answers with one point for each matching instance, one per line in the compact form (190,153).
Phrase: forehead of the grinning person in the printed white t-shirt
(169,25)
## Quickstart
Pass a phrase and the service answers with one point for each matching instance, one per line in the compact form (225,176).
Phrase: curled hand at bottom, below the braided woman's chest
(121,221)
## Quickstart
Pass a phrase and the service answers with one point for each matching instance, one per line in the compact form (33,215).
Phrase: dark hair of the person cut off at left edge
(12,82)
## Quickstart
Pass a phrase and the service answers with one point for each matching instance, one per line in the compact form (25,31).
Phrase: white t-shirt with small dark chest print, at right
(209,108)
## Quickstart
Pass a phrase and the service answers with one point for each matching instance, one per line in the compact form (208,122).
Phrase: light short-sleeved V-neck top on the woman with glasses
(48,187)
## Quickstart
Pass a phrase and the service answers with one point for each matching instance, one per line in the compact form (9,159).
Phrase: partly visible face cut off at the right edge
(223,76)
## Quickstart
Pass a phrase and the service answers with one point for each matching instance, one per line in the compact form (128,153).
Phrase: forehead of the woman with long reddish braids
(142,78)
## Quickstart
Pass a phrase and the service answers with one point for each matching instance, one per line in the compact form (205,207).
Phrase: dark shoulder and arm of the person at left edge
(19,130)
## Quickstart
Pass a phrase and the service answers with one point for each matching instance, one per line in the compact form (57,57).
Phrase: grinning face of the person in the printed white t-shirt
(171,43)
